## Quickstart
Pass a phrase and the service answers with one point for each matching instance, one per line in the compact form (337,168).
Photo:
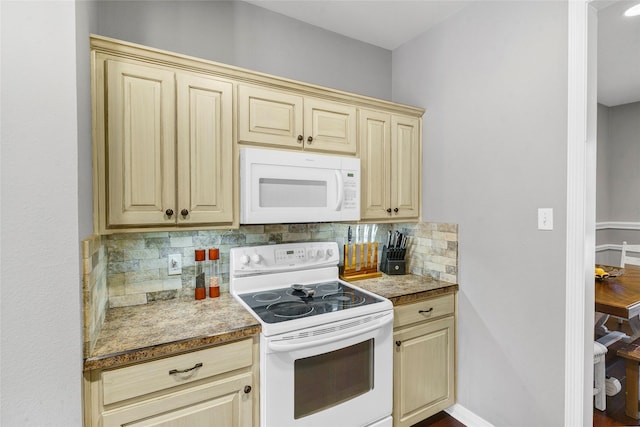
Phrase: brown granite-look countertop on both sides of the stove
(164,328)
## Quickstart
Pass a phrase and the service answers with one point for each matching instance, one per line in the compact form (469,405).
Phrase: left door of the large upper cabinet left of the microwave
(141,144)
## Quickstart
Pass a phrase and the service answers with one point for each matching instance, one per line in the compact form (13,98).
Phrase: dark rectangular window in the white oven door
(328,379)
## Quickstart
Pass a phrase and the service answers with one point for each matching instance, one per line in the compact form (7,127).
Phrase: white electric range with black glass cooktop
(326,356)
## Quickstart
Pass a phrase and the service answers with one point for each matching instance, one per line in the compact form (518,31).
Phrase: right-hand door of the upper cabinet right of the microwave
(405,167)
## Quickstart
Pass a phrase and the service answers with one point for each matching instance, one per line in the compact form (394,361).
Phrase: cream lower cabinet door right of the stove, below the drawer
(423,365)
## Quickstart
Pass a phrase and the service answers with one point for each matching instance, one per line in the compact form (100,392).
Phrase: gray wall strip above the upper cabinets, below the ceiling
(244,35)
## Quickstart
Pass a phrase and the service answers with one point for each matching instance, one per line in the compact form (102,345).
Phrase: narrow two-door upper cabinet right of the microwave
(390,149)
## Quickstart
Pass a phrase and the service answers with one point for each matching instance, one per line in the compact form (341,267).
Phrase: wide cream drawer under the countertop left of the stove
(138,380)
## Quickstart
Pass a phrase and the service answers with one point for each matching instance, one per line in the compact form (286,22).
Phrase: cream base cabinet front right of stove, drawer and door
(424,359)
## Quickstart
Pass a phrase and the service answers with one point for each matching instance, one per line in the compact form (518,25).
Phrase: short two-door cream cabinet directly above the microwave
(274,118)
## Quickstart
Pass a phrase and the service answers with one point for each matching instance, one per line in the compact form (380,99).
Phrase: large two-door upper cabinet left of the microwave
(164,147)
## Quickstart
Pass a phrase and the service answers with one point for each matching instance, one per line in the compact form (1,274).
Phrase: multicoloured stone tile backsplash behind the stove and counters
(131,268)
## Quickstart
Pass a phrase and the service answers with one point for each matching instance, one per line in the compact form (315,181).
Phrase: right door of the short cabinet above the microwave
(329,126)
